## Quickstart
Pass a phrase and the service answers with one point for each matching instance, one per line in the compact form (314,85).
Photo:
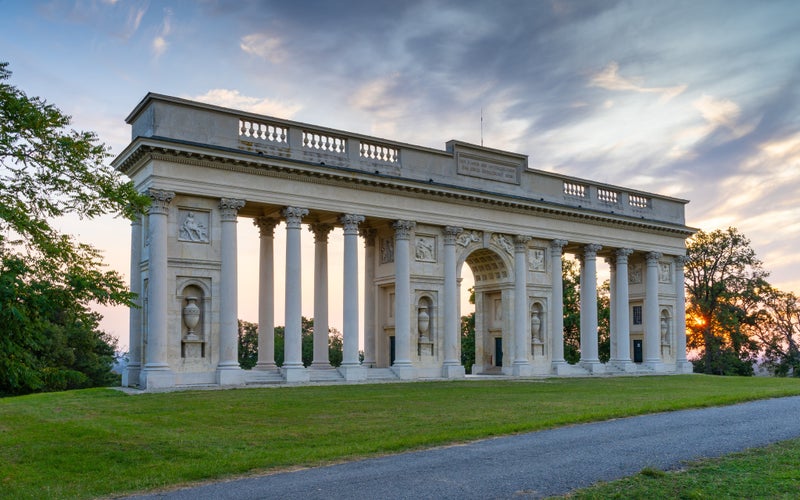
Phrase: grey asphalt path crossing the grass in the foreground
(532,465)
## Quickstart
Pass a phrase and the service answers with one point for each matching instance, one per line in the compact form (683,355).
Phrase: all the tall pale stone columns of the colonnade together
(156,370)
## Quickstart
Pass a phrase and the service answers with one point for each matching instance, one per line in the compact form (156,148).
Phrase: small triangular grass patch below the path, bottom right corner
(769,472)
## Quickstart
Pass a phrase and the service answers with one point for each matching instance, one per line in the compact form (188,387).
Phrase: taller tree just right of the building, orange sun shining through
(724,283)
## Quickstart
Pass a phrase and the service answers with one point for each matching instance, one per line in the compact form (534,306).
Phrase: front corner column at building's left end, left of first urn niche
(156,372)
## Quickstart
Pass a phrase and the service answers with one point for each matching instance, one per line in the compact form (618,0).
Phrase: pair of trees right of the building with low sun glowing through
(734,316)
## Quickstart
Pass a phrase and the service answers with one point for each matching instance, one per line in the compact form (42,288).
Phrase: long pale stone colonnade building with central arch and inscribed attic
(421,214)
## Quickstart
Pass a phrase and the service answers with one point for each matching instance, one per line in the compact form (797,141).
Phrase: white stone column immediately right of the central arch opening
(522,336)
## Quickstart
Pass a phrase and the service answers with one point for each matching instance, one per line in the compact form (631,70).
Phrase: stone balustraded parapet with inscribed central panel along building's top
(485,171)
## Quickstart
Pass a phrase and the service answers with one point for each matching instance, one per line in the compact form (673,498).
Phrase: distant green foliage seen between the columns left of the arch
(248,344)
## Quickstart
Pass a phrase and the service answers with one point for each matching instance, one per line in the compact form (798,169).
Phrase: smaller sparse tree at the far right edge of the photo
(778,329)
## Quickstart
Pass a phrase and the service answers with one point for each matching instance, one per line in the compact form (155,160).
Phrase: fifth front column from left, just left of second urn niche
(402,296)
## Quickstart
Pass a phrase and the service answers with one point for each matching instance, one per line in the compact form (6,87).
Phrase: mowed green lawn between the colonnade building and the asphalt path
(83,444)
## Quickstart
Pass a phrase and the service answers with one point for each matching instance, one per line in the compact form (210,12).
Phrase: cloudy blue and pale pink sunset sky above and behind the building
(696,99)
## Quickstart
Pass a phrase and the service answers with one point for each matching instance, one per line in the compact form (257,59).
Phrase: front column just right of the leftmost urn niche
(228,370)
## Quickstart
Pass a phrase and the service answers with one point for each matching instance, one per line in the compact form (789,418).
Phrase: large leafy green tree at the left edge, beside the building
(47,279)
